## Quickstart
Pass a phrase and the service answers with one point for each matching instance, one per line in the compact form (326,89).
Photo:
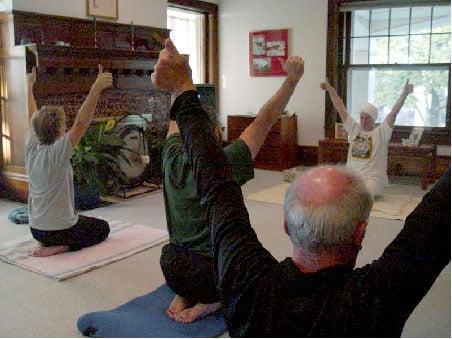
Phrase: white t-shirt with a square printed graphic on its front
(368,151)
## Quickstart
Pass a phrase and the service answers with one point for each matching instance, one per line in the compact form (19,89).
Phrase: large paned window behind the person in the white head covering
(385,46)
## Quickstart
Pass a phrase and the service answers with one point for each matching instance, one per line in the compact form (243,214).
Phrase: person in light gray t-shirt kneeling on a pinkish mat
(53,219)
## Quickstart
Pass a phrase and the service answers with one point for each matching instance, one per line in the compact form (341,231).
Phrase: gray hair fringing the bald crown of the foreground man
(329,226)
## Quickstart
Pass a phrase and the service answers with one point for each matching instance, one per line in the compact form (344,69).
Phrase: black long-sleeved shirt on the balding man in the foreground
(266,298)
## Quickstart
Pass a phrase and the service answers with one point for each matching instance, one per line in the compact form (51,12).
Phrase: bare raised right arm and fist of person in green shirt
(254,135)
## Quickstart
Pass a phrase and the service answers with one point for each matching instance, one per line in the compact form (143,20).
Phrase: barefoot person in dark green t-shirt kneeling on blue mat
(187,262)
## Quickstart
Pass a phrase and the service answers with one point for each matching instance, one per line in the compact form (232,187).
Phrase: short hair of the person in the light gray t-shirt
(47,123)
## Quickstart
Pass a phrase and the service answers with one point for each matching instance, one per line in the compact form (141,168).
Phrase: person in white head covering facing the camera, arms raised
(368,151)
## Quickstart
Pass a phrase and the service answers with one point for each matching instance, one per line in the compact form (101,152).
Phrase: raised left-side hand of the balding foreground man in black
(172,72)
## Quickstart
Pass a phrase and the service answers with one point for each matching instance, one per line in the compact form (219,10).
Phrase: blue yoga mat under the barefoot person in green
(146,316)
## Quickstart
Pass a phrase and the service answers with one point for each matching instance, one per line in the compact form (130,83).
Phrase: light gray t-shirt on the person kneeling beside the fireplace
(51,187)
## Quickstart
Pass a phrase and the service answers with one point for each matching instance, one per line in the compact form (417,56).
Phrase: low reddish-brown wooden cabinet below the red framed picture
(279,150)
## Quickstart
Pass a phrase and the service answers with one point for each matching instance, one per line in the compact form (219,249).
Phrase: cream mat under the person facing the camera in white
(389,206)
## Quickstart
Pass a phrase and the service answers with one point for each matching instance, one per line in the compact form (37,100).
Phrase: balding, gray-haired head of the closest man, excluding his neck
(326,226)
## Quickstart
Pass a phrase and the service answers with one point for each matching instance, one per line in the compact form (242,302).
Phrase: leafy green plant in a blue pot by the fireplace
(96,165)
